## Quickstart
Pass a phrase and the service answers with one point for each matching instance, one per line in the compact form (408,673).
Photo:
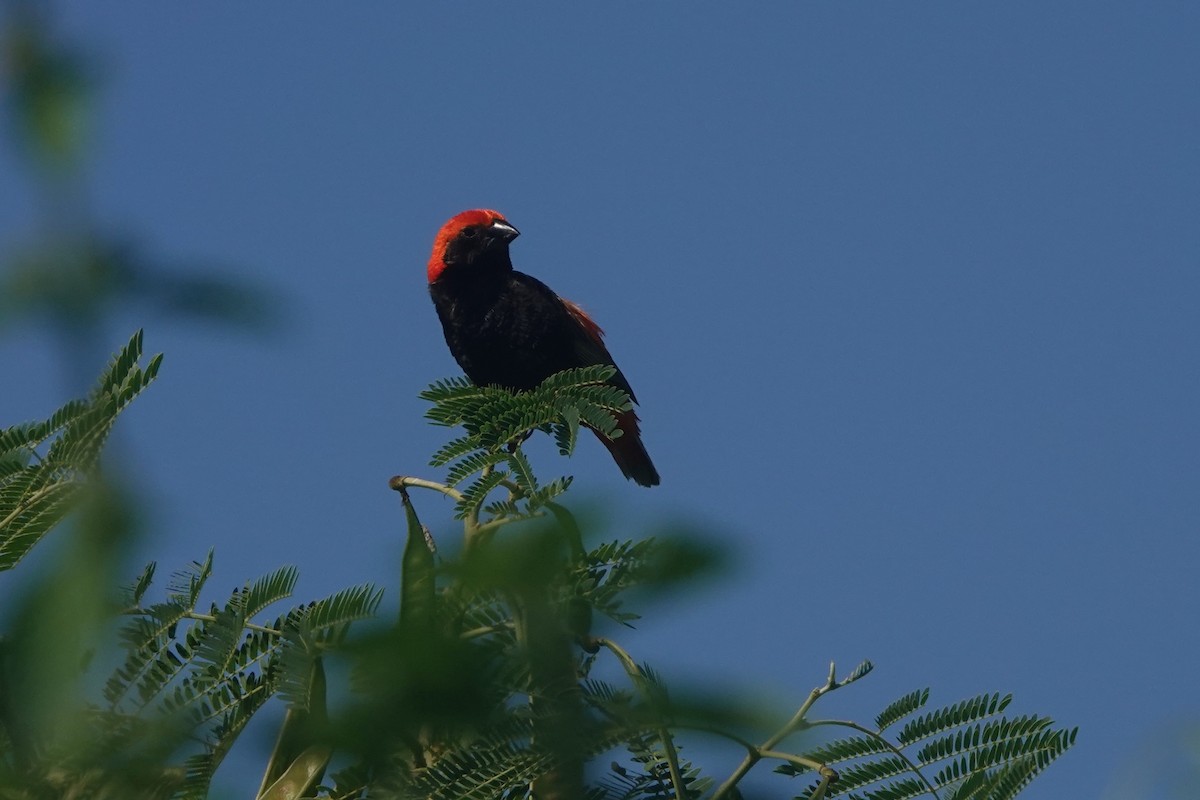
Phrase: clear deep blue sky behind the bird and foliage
(909,293)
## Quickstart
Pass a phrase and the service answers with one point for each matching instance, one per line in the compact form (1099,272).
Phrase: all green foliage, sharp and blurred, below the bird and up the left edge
(501,678)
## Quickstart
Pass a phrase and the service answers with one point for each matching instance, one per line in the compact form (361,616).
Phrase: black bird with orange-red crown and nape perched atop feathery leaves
(508,329)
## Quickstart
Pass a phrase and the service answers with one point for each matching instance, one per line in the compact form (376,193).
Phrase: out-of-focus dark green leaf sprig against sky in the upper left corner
(70,274)
